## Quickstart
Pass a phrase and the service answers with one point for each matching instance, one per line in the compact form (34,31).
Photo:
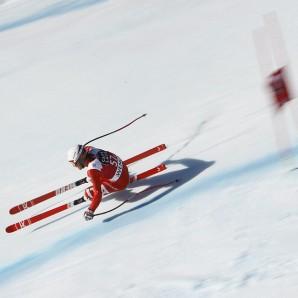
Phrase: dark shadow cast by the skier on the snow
(170,182)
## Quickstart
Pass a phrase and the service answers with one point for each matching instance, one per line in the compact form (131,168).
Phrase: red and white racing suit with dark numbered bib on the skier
(107,173)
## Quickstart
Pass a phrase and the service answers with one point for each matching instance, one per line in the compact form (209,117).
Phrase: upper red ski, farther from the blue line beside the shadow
(60,190)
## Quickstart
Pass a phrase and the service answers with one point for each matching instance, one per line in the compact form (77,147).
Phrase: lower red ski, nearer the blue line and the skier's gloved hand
(29,221)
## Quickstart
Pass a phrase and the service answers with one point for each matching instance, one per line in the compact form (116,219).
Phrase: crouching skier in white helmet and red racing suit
(105,170)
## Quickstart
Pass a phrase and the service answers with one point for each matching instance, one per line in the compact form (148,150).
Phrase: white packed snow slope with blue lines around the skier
(72,70)
